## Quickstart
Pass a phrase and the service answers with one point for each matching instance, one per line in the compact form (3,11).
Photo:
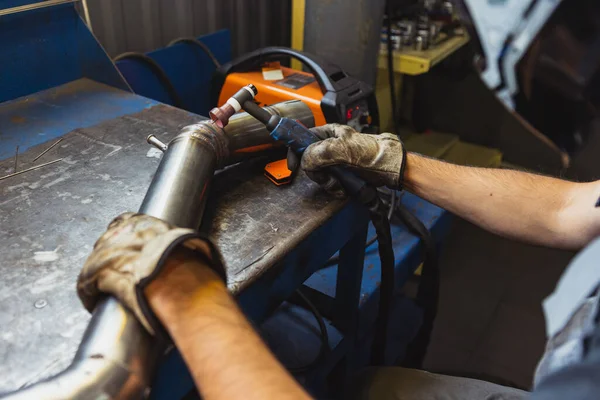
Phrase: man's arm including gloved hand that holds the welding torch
(518,205)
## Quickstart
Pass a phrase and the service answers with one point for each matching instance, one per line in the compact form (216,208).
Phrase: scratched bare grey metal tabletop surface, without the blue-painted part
(51,217)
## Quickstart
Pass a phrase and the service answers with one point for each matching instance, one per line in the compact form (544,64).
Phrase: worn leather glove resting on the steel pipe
(130,254)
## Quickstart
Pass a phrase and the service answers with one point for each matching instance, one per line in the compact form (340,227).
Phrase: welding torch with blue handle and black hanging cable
(298,137)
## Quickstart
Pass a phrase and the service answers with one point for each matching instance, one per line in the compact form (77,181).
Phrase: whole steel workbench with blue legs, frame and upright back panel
(272,239)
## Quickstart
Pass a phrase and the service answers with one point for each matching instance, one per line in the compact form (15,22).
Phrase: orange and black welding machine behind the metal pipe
(332,95)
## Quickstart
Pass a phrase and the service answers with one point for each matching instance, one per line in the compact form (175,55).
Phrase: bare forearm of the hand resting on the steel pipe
(226,357)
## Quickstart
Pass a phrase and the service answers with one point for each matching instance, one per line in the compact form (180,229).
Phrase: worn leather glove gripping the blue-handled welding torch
(378,159)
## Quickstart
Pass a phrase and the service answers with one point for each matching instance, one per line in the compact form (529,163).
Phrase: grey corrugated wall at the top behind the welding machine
(144,25)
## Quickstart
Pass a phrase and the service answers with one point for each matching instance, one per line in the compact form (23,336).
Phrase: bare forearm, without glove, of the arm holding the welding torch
(532,208)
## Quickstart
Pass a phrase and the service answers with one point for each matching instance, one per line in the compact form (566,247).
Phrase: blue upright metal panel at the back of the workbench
(48,47)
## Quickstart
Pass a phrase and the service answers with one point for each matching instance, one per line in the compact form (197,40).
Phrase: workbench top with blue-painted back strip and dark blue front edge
(51,216)
